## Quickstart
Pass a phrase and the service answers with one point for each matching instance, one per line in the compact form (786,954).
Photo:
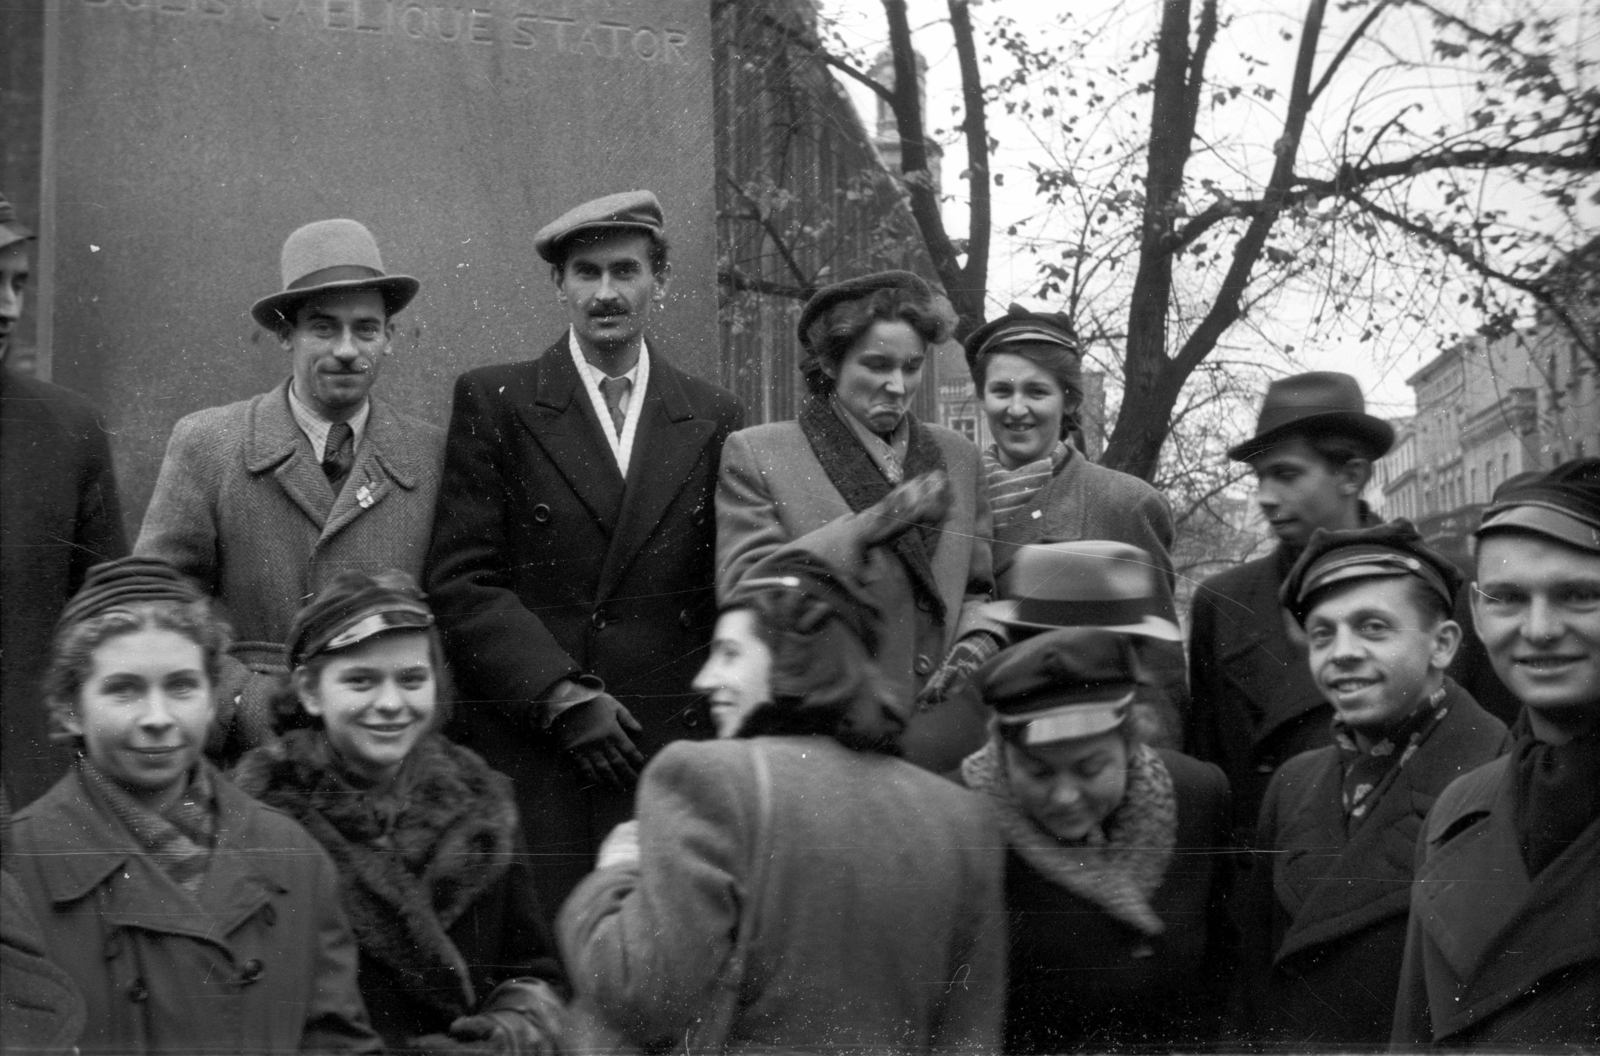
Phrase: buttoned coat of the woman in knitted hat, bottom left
(260,961)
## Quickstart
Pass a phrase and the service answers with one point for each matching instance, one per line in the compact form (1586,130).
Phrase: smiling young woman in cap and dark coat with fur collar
(433,871)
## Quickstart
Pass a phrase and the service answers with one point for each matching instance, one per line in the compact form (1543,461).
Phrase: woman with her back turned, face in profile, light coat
(793,886)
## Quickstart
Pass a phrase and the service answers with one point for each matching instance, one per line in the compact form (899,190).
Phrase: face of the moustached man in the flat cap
(609,290)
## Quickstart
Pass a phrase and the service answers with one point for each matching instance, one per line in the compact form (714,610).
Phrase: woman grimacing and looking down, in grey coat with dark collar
(866,348)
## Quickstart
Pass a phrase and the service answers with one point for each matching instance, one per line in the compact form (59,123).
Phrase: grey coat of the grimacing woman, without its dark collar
(774,490)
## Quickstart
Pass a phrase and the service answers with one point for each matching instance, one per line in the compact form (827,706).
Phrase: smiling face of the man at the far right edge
(1537,606)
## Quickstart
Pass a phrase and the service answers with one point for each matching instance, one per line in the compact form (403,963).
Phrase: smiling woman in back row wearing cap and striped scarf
(1028,369)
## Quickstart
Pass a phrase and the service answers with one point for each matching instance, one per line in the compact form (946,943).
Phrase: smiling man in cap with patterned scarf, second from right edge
(1326,916)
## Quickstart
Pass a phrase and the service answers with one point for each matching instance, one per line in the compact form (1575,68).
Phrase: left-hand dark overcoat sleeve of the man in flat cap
(502,649)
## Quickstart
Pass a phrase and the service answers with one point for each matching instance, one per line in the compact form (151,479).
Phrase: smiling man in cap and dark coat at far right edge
(1503,950)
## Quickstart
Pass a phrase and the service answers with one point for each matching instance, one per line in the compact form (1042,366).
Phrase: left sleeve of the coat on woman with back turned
(646,943)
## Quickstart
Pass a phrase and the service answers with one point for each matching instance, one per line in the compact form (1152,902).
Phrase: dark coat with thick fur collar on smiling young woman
(441,934)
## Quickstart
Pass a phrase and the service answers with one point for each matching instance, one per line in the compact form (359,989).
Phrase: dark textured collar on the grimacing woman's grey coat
(862,484)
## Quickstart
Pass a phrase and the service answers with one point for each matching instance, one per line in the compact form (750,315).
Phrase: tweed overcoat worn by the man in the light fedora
(242,506)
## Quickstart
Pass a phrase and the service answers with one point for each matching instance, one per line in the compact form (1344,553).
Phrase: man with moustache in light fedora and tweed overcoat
(268,500)
